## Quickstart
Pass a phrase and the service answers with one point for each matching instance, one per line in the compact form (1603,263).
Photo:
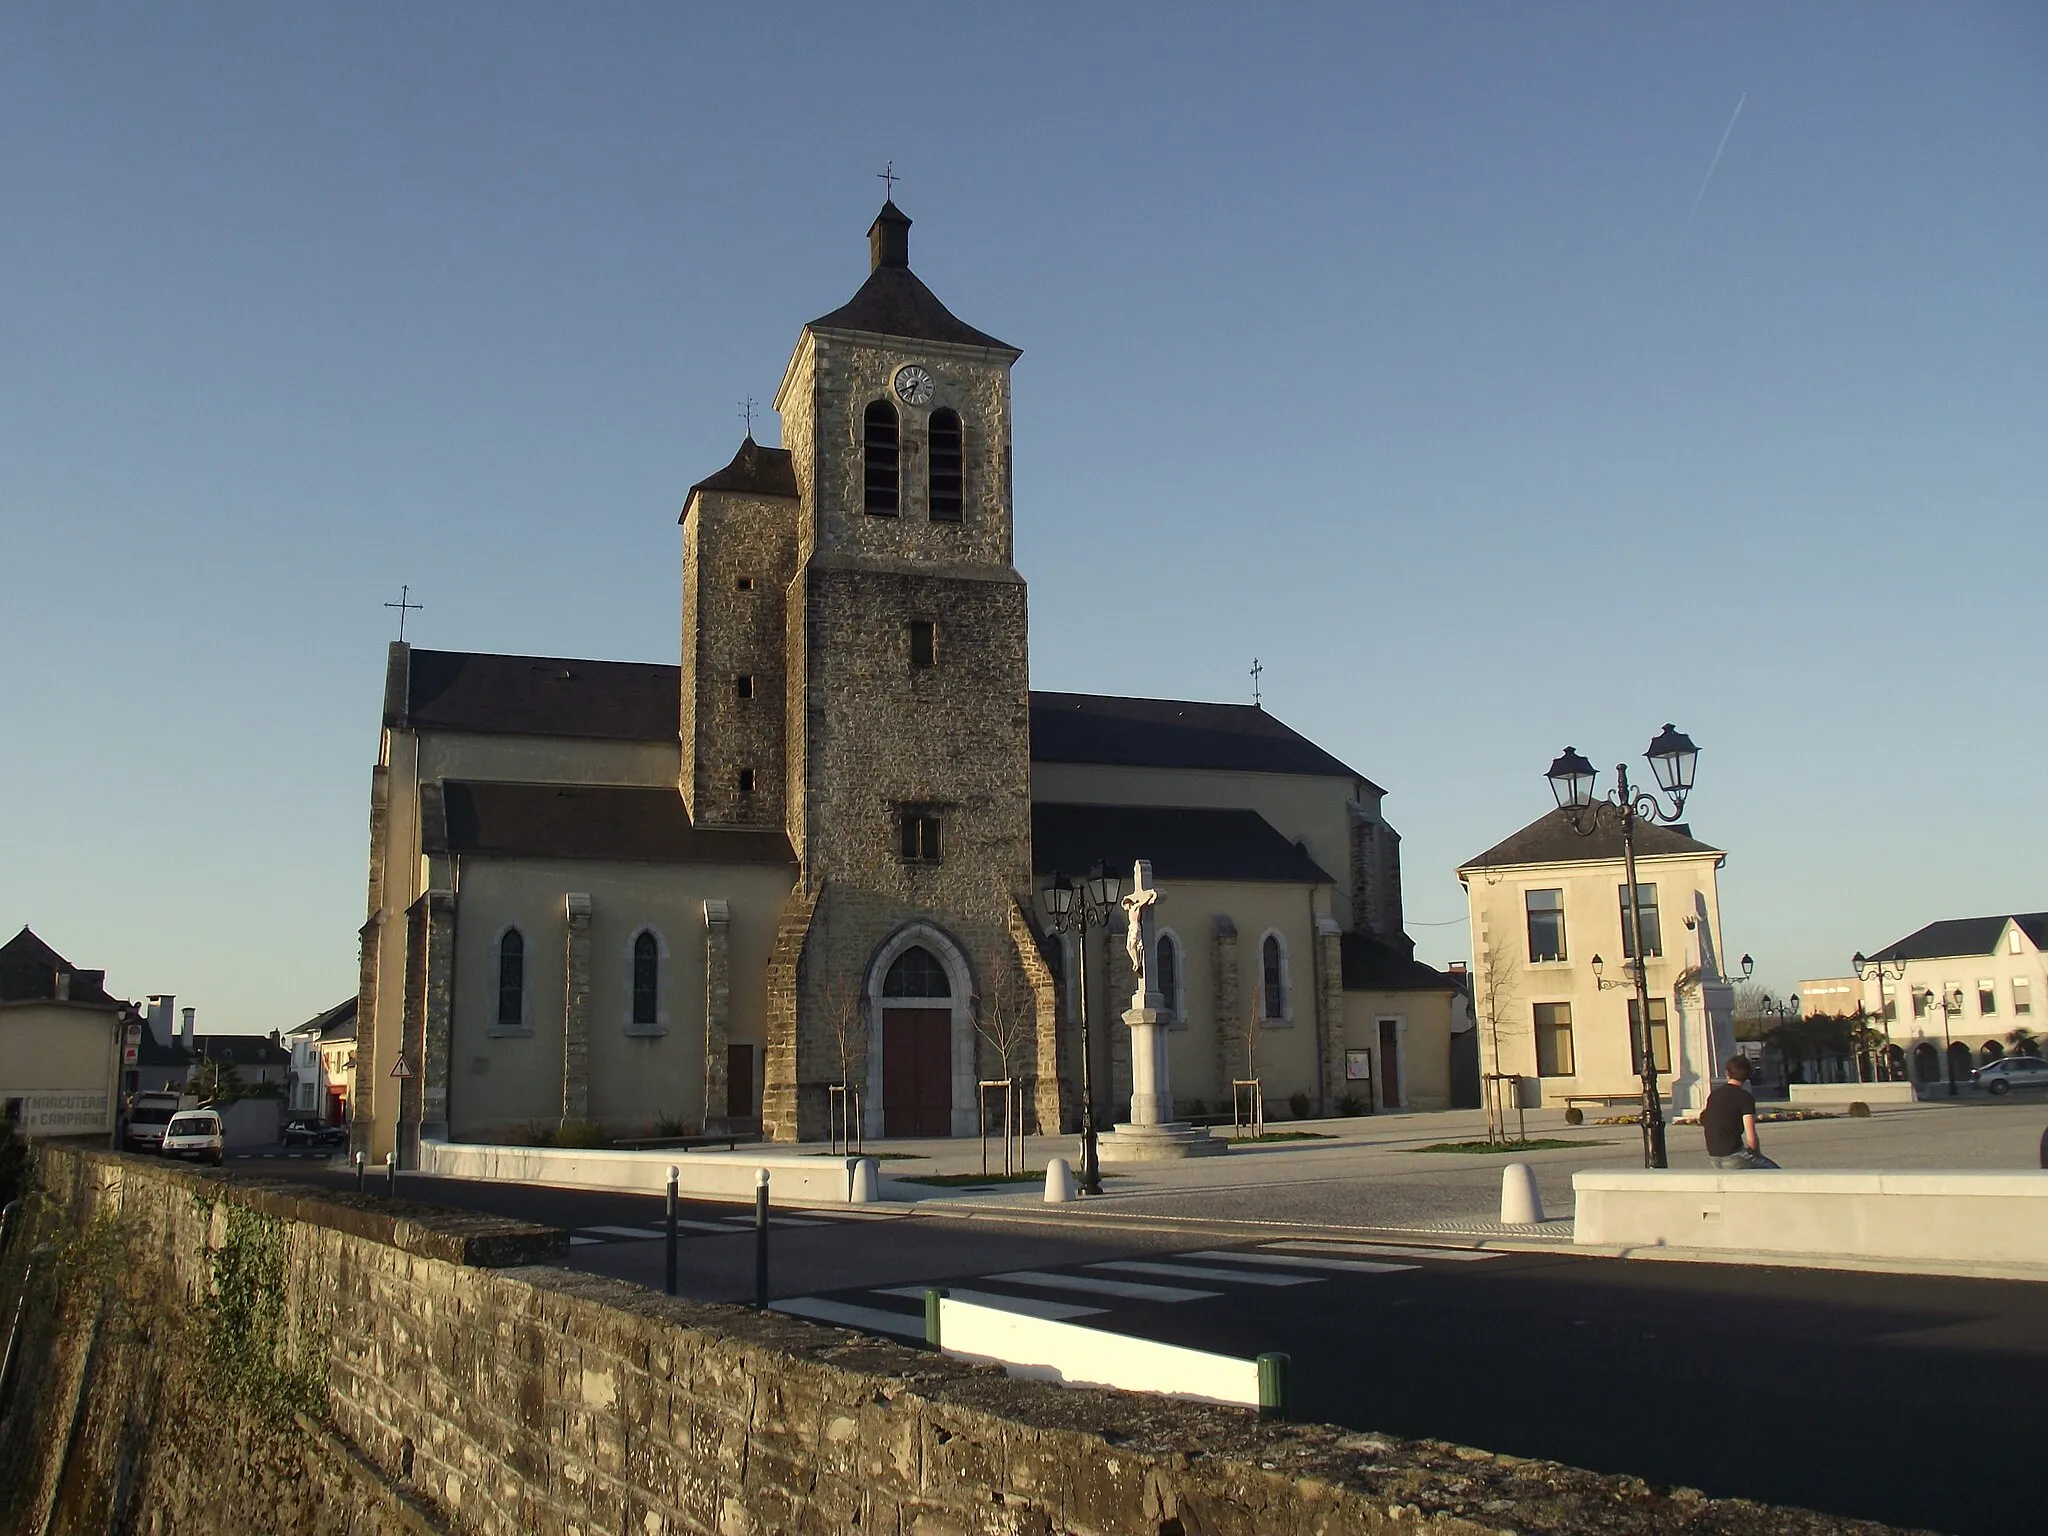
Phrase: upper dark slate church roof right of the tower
(1172,734)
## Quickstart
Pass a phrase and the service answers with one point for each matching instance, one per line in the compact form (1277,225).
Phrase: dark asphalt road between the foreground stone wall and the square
(1891,1398)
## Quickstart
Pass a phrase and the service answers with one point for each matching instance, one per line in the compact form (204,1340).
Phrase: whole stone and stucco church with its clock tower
(802,871)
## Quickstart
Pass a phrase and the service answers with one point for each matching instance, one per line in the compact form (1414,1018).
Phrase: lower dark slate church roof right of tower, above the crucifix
(1183,843)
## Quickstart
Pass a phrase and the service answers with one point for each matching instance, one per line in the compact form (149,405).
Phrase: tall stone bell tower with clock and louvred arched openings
(908,691)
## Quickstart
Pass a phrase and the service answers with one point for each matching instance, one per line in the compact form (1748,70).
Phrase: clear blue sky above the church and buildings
(1371,343)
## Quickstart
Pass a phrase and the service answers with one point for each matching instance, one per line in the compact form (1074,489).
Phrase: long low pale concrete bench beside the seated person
(1953,1220)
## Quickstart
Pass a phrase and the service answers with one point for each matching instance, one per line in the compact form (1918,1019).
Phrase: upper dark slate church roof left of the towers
(538,695)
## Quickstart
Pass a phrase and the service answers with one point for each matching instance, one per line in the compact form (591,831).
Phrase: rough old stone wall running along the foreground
(216,1357)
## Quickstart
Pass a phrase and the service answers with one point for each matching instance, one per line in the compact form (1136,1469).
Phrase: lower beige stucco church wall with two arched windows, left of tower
(634,1080)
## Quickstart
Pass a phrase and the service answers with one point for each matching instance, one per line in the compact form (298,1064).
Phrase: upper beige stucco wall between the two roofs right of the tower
(1304,808)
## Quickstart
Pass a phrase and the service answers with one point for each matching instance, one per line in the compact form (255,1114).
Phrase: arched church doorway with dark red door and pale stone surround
(921,1052)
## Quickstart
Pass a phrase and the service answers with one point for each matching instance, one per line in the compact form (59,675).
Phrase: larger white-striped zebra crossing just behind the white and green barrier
(1105,1285)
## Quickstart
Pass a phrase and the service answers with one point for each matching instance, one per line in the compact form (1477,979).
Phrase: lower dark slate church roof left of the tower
(603,822)
